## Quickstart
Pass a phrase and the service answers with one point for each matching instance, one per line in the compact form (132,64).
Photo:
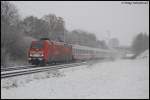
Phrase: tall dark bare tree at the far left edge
(11,37)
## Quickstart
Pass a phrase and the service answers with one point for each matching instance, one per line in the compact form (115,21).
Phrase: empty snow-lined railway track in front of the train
(11,72)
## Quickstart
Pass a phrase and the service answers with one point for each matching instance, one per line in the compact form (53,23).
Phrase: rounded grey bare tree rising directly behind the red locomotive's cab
(36,28)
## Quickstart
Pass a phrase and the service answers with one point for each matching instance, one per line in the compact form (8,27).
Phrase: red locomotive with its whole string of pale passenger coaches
(45,51)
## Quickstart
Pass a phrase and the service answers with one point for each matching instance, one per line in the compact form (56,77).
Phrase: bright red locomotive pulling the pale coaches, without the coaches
(46,51)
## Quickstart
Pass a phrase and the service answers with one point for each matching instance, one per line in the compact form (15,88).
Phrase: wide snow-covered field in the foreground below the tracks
(113,79)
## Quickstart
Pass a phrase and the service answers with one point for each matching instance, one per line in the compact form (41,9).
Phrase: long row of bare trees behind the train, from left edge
(17,33)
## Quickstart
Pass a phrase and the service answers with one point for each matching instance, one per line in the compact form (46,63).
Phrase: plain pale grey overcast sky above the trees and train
(104,19)
